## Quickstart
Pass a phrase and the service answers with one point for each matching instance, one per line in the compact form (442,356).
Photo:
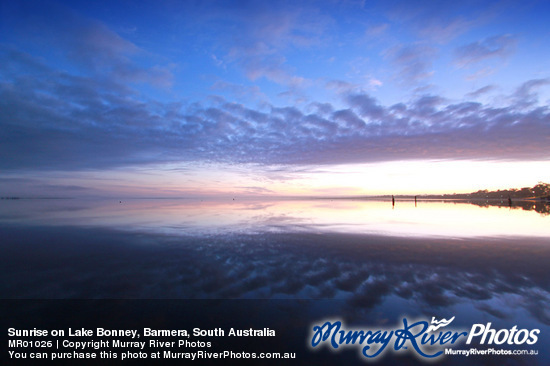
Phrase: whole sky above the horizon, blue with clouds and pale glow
(178,98)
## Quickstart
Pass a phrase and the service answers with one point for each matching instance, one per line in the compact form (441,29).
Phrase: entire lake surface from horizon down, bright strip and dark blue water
(364,261)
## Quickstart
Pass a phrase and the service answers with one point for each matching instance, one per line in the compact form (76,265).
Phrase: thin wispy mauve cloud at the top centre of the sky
(260,35)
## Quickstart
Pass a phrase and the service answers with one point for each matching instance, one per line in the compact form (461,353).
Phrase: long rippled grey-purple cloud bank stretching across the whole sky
(54,120)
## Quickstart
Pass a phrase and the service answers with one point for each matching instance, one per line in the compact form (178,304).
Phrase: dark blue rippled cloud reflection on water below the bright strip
(364,271)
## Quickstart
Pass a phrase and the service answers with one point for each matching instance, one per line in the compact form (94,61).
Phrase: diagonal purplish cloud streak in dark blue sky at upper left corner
(88,44)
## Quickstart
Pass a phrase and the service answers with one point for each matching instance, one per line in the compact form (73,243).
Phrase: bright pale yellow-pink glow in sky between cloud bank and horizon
(398,178)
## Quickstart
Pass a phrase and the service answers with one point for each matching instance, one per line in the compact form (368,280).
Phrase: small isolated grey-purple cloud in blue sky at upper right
(498,46)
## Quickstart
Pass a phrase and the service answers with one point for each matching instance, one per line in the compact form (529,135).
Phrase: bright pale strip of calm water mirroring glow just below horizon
(186,216)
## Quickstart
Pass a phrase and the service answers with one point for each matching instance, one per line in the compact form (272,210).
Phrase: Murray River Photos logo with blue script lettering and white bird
(427,339)
